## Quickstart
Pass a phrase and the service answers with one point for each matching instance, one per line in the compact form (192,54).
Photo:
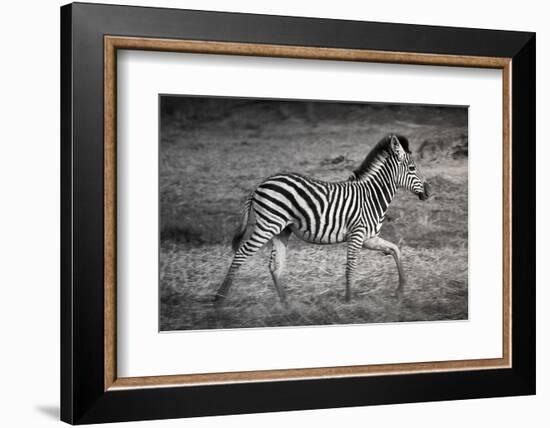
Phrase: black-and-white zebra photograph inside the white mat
(306,213)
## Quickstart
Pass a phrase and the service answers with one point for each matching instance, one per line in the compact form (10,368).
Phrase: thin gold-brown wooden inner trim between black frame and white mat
(113,43)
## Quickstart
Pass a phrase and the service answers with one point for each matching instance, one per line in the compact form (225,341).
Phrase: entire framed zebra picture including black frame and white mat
(265,213)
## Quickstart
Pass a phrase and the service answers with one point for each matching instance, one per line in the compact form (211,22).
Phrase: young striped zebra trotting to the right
(322,212)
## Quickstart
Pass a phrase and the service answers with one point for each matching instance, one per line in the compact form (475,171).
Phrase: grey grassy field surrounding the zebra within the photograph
(213,155)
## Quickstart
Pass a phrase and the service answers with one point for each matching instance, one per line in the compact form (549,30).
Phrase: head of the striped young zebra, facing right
(407,174)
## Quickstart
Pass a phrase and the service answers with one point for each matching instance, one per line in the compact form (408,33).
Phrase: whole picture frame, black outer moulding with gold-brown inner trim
(91,391)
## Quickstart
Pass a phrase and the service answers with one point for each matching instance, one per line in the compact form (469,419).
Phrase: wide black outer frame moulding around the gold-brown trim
(83,399)
